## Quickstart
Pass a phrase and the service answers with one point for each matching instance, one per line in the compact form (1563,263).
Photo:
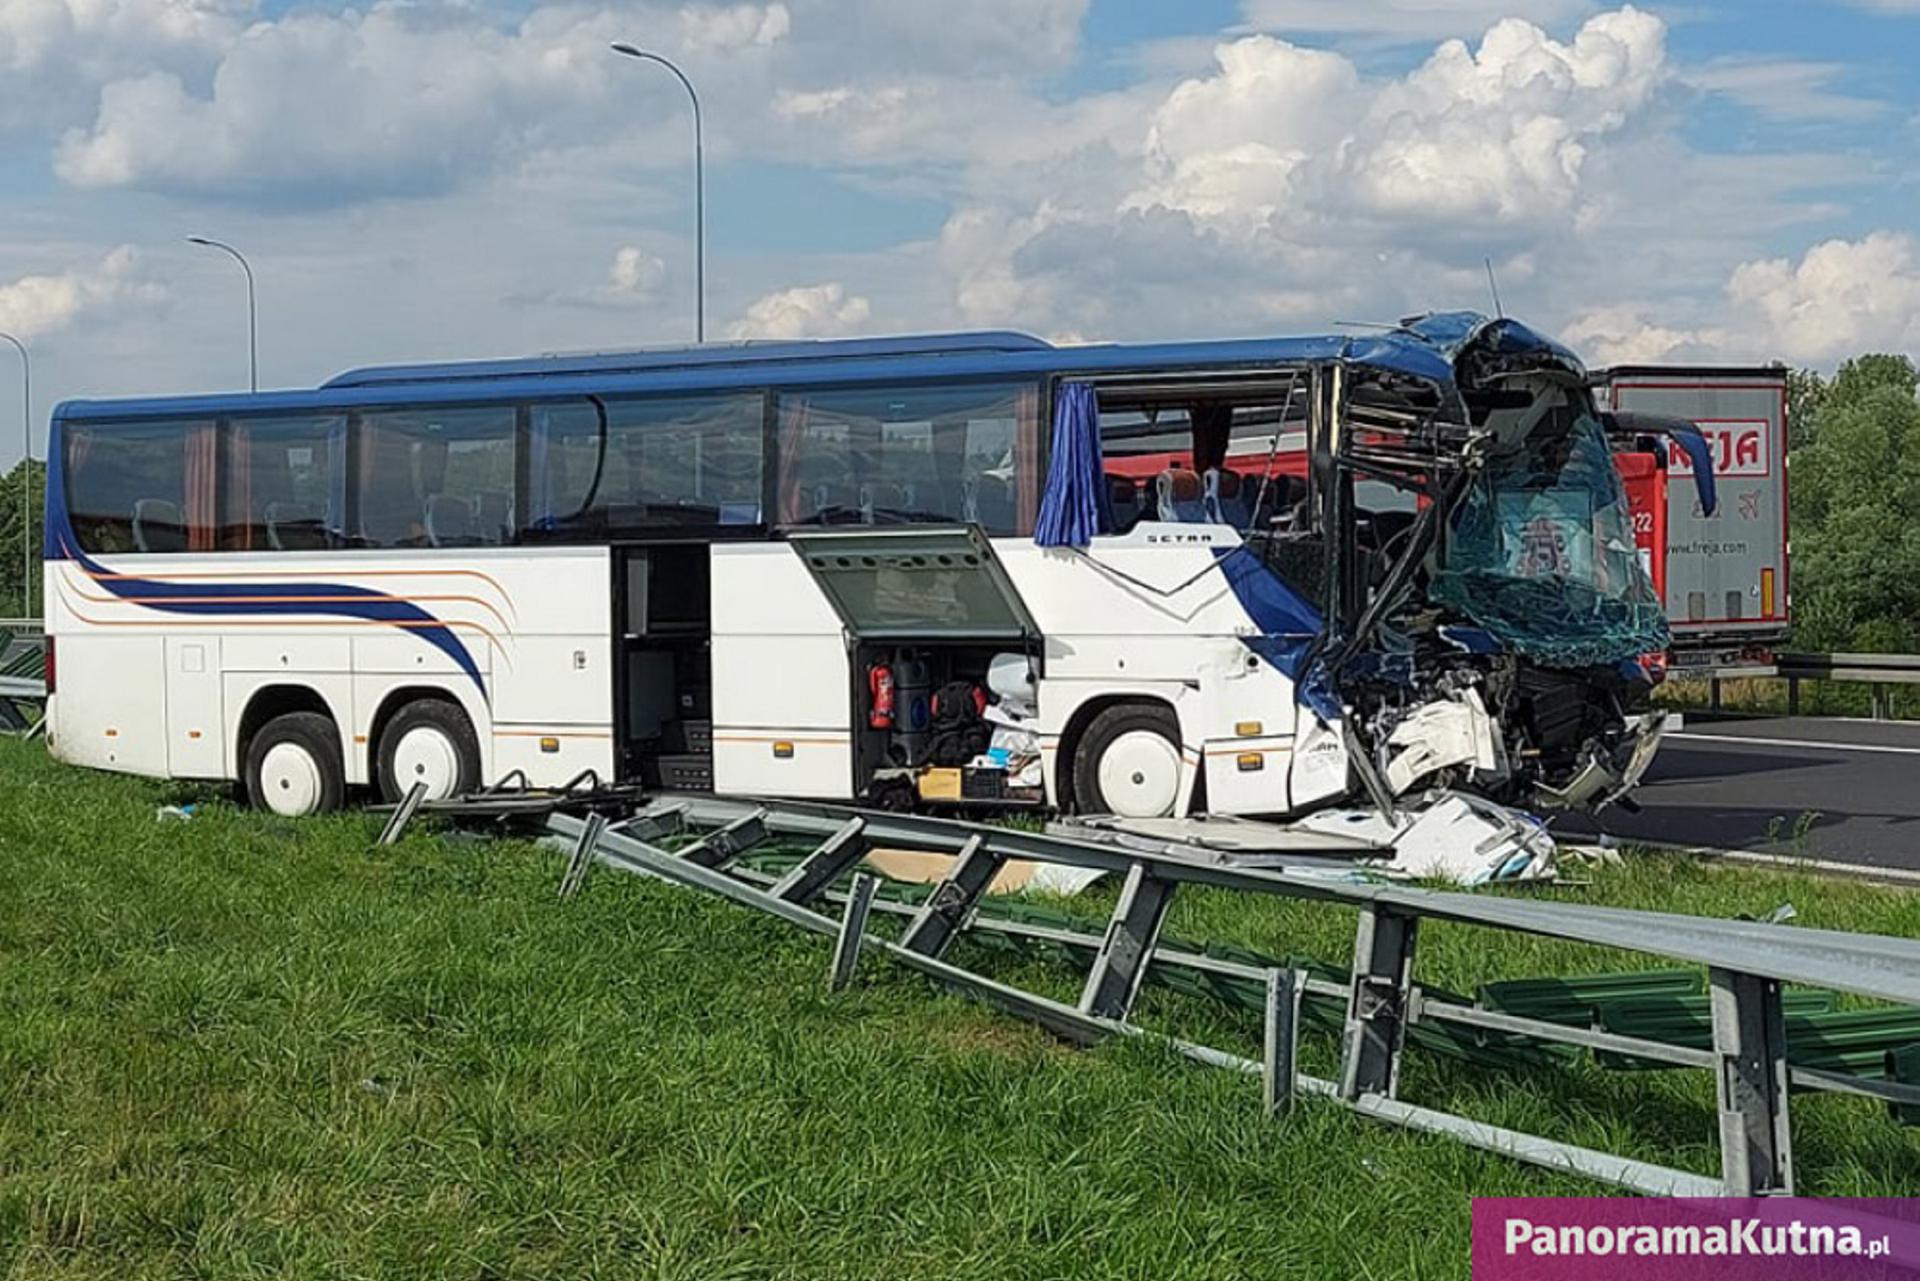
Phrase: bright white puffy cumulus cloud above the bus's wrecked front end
(1500,132)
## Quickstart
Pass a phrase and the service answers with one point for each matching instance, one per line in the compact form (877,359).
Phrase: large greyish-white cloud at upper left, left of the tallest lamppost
(339,107)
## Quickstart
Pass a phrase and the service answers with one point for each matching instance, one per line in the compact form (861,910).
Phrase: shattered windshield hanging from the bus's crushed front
(1541,550)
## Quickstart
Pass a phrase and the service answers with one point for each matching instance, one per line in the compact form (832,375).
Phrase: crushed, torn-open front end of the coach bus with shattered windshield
(1485,608)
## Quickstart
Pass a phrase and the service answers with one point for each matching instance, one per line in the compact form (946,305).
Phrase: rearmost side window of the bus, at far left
(143,487)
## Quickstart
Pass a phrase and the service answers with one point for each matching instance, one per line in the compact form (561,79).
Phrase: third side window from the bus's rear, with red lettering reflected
(435,477)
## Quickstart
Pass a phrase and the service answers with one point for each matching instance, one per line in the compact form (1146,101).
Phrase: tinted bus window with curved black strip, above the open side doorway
(656,462)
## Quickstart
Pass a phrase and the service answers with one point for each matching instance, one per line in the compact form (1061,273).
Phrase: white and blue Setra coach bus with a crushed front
(1370,566)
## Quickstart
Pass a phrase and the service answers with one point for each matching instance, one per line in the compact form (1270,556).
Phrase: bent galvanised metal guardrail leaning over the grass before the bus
(1748,965)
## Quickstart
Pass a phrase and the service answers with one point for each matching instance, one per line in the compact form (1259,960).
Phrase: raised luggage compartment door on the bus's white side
(917,585)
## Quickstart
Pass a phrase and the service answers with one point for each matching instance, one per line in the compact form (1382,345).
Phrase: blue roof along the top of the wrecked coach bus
(1422,349)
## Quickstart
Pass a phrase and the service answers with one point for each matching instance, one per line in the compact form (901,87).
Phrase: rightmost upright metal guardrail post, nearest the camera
(1752,1084)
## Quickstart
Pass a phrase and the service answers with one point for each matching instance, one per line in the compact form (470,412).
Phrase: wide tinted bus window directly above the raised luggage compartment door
(911,456)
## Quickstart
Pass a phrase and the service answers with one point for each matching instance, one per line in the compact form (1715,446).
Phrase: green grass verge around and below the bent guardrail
(258,1048)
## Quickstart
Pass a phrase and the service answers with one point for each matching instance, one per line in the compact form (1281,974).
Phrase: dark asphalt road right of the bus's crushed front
(1838,790)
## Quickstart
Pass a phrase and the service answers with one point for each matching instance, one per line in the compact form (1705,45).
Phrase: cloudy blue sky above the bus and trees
(437,178)
